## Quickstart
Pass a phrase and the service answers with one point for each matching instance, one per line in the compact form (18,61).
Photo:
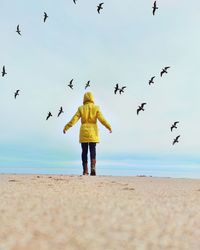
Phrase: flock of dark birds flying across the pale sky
(116,89)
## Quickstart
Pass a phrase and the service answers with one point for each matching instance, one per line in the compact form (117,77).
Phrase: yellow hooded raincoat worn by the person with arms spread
(89,113)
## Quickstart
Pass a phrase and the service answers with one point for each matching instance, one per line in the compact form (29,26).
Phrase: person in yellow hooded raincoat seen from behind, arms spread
(89,134)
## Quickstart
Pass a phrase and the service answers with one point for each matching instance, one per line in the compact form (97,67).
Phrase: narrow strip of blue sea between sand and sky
(159,171)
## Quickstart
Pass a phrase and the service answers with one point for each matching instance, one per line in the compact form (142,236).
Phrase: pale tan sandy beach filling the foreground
(60,212)
